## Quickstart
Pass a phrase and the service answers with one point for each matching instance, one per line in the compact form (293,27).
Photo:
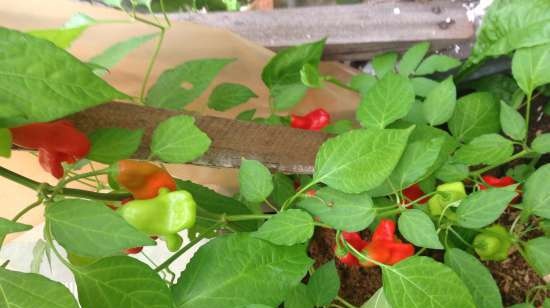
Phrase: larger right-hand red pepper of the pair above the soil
(385,247)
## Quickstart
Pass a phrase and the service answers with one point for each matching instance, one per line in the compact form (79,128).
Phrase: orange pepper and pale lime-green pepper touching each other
(157,208)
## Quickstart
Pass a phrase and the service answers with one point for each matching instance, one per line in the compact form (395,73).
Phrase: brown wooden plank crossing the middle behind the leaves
(280,148)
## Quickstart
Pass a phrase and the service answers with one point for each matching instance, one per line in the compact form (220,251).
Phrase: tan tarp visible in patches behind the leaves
(184,41)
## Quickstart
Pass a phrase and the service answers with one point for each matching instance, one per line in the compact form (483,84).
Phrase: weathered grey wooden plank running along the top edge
(352,31)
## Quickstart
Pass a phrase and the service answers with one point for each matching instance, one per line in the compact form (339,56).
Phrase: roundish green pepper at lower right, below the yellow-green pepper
(493,243)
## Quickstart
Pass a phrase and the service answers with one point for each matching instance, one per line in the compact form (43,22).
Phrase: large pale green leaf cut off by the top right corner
(509,25)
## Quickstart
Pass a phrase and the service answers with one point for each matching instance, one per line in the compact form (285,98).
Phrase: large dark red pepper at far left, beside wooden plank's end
(56,142)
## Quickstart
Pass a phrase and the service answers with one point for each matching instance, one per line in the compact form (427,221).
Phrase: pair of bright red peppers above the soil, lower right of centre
(384,246)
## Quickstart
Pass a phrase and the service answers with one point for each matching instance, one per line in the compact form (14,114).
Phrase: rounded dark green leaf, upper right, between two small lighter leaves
(476,114)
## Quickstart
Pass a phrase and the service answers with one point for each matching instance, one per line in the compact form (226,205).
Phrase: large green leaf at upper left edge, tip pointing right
(41,91)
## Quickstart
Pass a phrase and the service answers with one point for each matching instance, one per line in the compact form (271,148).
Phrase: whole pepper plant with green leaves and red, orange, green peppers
(426,167)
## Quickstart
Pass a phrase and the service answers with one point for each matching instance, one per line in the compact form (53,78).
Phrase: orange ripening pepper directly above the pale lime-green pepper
(142,178)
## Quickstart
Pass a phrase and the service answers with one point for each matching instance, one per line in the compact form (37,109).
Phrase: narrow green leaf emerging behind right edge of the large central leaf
(415,163)
